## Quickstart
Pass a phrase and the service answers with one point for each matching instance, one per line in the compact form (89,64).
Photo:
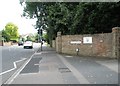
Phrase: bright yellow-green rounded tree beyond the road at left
(11,32)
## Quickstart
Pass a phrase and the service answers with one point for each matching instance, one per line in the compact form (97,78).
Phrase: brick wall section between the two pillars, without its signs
(101,45)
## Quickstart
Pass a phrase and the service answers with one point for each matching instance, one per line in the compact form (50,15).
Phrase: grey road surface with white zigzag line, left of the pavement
(13,57)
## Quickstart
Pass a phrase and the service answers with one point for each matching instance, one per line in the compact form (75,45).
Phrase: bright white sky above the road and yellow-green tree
(11,11)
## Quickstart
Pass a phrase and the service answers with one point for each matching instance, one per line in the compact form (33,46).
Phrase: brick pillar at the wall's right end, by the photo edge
(116,42)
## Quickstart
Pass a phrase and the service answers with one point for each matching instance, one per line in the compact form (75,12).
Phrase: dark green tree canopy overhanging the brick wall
(74,17)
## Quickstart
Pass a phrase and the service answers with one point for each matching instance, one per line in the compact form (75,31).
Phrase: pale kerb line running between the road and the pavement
(10,80)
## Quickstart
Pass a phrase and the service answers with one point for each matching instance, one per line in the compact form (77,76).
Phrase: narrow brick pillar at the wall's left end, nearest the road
(59,42)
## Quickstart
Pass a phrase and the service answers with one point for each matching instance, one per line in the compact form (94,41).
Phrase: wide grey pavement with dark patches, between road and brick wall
(49,67)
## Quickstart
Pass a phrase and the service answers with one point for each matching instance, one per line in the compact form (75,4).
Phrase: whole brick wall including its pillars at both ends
(103,45)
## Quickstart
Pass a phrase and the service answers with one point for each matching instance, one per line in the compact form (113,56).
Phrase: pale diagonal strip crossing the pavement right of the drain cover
(76,73)
